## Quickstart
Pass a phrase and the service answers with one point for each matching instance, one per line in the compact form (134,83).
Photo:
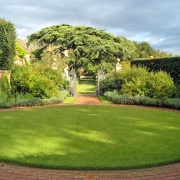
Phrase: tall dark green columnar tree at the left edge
(7,44)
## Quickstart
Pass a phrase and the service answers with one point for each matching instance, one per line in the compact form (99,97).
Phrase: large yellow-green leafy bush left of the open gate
(40,81)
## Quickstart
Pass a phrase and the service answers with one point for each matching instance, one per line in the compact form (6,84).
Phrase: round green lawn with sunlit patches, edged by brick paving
(90,137)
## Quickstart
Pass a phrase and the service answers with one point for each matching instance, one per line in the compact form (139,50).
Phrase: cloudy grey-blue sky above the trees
(154,21)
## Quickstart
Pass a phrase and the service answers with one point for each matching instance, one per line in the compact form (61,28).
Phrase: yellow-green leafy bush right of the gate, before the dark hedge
(138,81)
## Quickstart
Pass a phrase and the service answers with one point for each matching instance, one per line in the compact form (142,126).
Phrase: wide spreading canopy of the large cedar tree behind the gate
(88,48)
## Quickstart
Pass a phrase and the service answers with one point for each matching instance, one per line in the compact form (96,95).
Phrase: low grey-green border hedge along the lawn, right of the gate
(142,100)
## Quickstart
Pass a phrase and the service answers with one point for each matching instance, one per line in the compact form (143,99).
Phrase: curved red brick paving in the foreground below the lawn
(14,172)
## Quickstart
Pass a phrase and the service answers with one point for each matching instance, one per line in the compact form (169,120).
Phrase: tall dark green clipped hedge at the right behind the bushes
(171,65)
